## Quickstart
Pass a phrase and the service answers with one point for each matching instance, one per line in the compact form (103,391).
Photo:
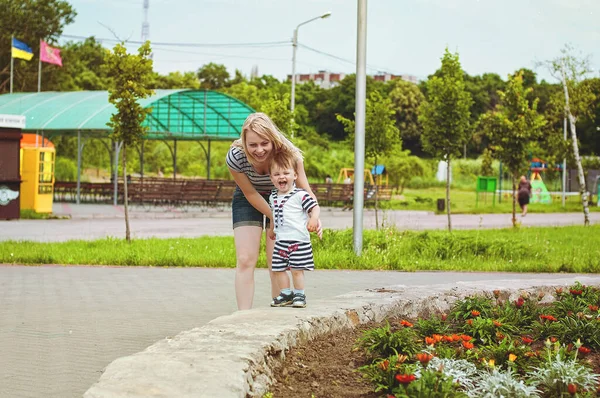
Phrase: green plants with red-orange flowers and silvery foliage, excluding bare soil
(492,347)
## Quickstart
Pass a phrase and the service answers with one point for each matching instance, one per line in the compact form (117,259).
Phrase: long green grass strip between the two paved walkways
(561,249)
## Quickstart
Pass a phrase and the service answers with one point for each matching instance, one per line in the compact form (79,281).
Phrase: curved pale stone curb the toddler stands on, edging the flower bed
(232,356)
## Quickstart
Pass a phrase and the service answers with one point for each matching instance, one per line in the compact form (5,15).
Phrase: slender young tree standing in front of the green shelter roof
(132,75)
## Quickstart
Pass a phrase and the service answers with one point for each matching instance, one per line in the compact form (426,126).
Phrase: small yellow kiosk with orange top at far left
(37,173)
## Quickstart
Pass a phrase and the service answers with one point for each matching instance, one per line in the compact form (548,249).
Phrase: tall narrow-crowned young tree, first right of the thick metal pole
(445,116)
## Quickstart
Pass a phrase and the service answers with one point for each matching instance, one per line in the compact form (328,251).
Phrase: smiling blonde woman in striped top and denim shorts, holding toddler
(248,161)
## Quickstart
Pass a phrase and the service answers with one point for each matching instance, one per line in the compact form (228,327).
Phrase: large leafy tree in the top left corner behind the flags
(30,21)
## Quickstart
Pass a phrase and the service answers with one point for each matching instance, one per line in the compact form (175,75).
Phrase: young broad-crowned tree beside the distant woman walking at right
(512,127)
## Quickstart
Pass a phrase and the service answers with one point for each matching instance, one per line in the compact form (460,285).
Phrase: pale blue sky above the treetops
(403,36)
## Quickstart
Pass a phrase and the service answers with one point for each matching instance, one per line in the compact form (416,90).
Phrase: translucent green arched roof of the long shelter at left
(176,114)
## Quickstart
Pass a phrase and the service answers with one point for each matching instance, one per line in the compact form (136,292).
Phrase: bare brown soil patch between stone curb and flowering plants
(325,367)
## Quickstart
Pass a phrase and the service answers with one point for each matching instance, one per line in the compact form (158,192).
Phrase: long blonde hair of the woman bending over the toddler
(264,127)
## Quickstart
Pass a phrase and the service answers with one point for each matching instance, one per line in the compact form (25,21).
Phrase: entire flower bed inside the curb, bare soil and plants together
(531,346)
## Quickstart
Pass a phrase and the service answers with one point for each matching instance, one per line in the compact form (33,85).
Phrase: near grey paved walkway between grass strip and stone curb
(60,326)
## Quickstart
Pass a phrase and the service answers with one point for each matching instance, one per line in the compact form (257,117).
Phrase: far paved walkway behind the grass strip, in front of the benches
(98,221)
